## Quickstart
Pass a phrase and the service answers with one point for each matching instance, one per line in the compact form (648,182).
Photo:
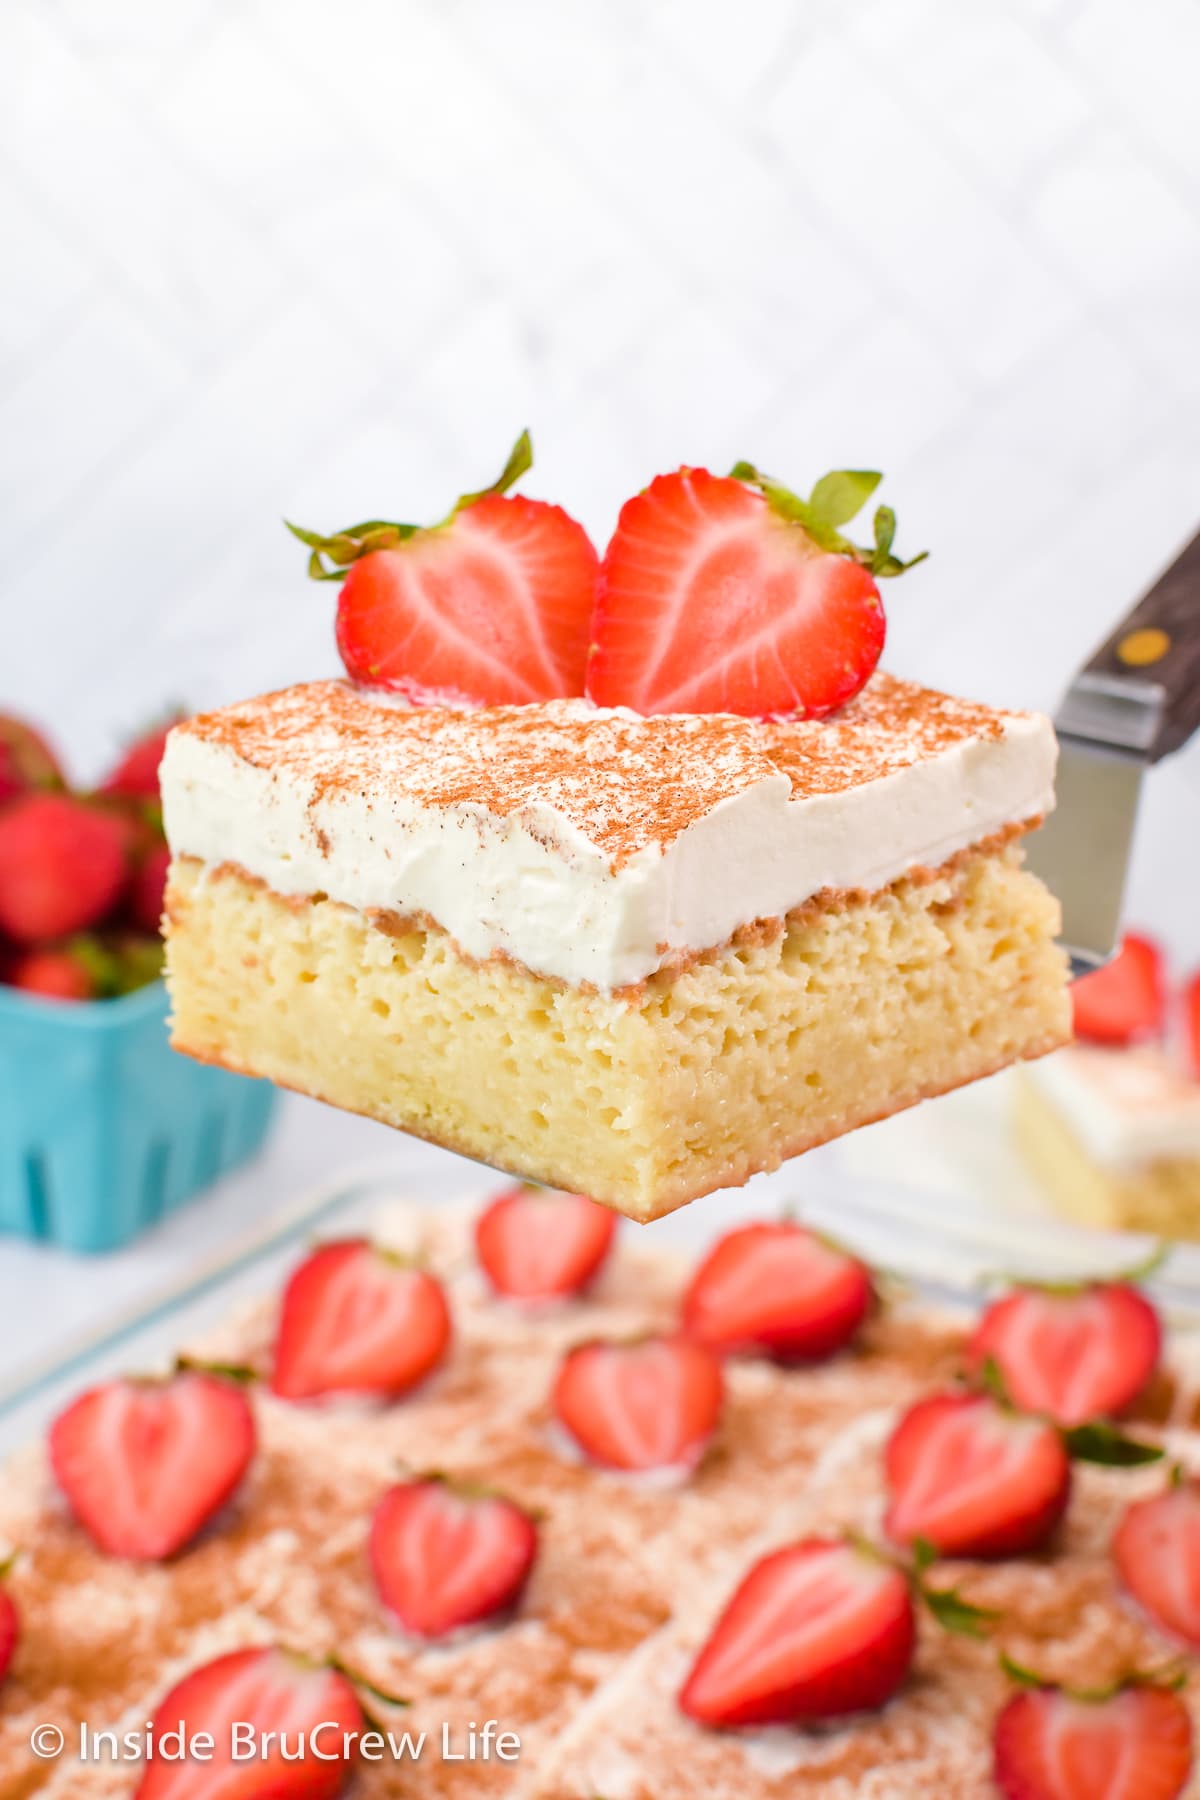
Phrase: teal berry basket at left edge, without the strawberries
(103,1128)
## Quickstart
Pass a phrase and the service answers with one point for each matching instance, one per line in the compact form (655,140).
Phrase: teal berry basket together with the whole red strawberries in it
(102,1128)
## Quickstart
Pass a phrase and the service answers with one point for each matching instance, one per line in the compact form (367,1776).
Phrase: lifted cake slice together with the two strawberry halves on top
(631,876)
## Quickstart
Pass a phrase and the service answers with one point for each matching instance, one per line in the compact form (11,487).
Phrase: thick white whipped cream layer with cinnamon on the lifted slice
(586,843)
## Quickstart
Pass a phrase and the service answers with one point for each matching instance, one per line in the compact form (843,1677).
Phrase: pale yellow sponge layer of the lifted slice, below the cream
(649,1097)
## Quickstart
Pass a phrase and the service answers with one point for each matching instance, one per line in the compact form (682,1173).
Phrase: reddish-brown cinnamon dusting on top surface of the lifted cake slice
(625,782)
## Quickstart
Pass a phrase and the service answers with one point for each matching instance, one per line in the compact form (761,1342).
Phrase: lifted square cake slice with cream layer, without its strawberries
(632,957)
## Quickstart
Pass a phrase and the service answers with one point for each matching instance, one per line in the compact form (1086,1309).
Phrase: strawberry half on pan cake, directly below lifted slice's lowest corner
(647,1405)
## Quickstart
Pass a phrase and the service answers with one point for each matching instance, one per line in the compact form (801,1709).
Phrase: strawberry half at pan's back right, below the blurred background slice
(1071,1354)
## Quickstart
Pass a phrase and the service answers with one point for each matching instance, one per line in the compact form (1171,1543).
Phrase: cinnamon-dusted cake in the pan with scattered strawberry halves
(499,1507)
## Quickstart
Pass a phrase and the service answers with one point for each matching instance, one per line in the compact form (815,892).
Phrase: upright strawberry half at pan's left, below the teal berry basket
(147,1464)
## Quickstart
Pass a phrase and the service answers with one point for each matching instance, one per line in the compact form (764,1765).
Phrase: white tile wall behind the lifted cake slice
(309,258)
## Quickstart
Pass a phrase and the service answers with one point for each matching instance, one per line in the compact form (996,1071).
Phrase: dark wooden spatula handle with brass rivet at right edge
(1161,643)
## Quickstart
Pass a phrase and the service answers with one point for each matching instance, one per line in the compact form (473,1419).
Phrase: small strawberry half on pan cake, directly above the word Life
(447,1556)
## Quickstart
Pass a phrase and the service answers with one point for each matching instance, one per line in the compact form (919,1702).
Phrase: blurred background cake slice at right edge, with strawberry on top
(1111,1128)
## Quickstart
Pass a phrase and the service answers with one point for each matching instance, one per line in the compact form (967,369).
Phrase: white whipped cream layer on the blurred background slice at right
(1127,1108)
